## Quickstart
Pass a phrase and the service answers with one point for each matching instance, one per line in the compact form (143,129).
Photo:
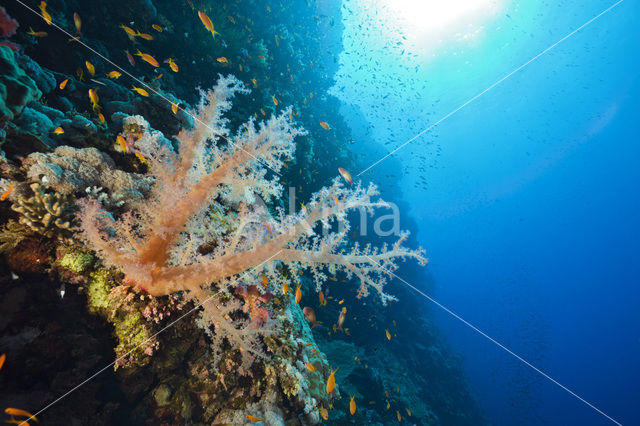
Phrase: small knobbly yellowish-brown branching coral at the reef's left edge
(48,214)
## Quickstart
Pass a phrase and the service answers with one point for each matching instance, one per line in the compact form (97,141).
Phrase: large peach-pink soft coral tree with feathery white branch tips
(206,194)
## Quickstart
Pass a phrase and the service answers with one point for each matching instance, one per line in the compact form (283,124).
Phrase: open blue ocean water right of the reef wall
(526,198)
